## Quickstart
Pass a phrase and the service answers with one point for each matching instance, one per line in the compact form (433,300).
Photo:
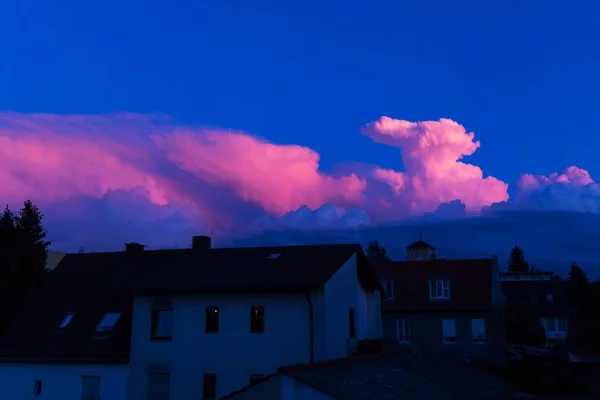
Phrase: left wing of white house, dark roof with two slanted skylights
(72,338)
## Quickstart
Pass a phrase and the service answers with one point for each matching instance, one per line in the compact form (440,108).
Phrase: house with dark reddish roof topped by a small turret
(450,306)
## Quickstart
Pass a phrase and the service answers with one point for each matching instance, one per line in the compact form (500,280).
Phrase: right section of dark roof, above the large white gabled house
(250,269)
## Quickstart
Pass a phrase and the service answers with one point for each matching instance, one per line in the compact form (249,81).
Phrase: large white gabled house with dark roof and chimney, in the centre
(218,319)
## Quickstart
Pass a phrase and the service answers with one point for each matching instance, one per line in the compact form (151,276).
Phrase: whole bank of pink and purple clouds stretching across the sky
(102,180)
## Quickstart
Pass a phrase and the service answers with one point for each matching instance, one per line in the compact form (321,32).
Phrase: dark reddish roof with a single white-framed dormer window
(470,284)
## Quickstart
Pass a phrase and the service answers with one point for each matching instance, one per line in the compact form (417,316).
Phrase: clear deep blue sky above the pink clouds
(521,75)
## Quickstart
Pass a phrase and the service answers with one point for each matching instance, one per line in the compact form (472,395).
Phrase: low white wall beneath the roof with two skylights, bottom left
(60,381)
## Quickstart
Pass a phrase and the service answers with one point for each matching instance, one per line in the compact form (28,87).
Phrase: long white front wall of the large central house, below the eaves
(233,354)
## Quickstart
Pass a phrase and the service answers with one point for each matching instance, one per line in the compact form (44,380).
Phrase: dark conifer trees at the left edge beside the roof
(23,252)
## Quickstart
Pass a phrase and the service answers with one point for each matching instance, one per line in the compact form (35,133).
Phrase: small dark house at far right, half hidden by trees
(550,299)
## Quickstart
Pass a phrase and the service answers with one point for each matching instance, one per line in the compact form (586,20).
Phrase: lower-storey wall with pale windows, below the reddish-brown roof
(426,332)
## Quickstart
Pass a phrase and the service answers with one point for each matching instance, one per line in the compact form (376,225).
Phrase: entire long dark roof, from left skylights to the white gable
(92,284)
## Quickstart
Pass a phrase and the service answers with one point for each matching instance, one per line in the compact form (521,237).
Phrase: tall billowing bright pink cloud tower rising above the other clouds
(433,174)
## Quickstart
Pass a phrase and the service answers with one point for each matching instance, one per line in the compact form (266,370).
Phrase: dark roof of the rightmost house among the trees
(522,293)
